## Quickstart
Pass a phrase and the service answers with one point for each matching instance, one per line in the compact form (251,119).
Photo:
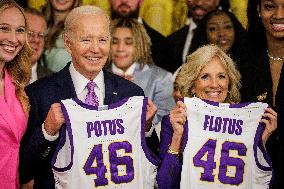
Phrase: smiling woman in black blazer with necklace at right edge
(266,84)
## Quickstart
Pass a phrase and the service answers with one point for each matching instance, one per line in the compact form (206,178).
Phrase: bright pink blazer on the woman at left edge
(13,123)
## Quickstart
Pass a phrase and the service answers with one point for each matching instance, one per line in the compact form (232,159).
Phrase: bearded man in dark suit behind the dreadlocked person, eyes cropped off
(159,48)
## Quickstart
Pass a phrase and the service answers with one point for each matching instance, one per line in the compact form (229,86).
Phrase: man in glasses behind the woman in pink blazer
(36,34)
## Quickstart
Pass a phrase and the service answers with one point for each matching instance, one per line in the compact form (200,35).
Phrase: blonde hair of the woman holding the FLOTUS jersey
(195,63)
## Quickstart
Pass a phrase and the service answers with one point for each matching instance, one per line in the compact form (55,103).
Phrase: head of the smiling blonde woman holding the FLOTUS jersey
(199,76)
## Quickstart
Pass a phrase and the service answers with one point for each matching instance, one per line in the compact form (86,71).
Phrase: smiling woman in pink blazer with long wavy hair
(15,71)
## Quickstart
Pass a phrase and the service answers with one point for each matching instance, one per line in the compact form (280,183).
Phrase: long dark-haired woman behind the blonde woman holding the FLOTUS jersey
(223,29)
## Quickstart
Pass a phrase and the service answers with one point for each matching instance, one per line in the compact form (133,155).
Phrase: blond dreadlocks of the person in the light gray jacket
(142,41)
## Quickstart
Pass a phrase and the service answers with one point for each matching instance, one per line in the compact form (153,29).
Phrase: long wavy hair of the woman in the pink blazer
(20,67)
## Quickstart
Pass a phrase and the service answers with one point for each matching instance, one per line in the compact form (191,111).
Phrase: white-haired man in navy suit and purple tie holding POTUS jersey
(87,39)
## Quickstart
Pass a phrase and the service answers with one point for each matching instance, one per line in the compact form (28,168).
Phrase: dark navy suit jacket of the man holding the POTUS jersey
(35,151)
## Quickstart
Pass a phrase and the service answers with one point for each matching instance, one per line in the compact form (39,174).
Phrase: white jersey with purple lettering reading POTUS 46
(104,147)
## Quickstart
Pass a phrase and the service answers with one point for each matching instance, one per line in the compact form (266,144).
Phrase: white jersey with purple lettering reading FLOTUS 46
(223,147)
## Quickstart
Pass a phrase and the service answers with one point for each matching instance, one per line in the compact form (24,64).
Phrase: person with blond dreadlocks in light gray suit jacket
(131,59)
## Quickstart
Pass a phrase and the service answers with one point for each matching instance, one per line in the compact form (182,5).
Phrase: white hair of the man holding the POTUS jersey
(81,11)
